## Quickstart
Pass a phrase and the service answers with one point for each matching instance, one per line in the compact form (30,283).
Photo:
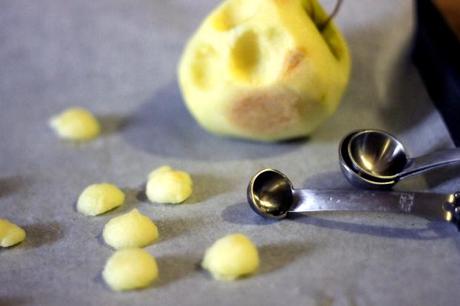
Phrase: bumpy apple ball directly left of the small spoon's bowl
(167,185)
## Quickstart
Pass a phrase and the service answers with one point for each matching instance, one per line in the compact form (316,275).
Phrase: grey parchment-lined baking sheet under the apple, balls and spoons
(118,58)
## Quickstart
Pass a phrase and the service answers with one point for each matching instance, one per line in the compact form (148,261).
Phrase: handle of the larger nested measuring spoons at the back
(427,162)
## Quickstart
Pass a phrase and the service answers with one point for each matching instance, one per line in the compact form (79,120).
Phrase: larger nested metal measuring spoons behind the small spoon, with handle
(375,159)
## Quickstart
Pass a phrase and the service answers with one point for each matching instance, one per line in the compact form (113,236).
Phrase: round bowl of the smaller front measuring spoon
(270,194)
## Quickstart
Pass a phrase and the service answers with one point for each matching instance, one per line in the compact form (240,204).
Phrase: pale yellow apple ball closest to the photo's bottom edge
(130,269)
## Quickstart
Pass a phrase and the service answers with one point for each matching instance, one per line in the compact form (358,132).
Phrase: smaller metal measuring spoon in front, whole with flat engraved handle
(271,195)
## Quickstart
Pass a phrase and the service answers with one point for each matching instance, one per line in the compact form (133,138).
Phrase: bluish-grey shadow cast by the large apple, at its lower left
(163,126)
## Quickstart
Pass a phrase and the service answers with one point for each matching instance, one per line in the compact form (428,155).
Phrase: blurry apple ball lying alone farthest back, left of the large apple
(76,123)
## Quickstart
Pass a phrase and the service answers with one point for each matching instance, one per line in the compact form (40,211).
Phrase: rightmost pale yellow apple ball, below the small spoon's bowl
(231,257)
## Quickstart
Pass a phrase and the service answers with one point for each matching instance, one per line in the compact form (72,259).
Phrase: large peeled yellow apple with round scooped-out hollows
(263,70)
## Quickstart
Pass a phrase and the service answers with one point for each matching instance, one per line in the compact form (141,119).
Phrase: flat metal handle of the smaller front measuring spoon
(428,205)
